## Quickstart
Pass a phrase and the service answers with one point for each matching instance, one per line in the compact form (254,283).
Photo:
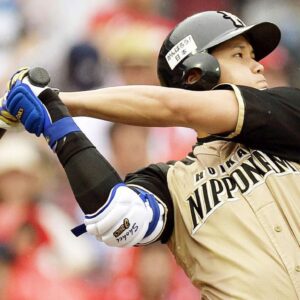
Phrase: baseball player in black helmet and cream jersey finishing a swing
(230,210)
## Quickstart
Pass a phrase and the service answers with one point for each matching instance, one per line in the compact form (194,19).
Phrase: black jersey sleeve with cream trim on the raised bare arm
(269,120)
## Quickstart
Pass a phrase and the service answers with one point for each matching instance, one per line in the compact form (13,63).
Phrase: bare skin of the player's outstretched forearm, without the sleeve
(207,111)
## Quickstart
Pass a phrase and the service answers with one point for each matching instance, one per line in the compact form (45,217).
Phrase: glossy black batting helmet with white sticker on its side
(188,45)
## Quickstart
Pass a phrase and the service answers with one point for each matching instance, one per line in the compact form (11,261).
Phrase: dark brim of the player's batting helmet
(263,37)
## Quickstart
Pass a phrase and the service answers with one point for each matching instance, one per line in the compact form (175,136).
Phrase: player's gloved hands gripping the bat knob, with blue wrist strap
(37,106)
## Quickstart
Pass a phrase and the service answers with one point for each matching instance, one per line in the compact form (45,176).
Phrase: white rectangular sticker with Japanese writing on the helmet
(181,50)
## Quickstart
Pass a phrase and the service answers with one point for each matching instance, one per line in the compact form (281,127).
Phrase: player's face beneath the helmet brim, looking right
(238,64)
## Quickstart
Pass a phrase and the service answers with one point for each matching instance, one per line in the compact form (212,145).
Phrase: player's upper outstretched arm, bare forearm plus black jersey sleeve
(266,120)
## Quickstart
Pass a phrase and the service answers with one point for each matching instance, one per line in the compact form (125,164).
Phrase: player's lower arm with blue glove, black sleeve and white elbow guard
(114,213)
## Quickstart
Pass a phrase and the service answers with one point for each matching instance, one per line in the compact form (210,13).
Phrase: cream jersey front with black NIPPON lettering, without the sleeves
(237,228)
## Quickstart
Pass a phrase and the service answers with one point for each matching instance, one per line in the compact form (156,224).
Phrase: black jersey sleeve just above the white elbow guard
(153,179)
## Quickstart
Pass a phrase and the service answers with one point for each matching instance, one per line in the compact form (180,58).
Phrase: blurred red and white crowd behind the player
(89,44)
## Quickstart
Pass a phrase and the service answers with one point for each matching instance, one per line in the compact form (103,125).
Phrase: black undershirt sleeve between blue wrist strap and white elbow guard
(90,176)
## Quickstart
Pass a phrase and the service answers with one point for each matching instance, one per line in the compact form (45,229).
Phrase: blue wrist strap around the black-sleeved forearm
(59,129)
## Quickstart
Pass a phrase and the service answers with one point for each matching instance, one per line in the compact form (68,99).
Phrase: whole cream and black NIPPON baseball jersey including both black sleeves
(233,204)
